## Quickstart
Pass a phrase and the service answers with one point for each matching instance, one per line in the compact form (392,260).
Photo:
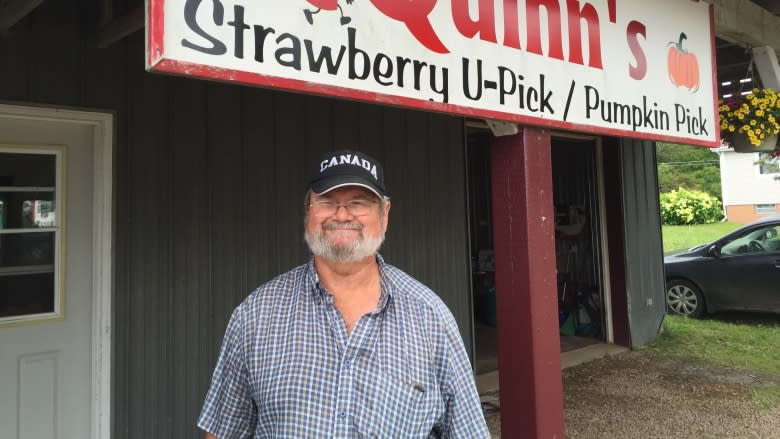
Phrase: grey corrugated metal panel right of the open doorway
(643,243)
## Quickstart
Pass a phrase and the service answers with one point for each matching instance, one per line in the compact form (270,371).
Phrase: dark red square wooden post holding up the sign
(529,358)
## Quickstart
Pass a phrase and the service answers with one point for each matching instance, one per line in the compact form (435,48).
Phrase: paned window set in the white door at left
(31,217)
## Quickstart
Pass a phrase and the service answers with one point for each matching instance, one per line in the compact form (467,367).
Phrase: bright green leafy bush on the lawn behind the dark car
(684,206)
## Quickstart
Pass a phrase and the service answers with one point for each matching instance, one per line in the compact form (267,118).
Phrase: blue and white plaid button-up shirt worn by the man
(288,368)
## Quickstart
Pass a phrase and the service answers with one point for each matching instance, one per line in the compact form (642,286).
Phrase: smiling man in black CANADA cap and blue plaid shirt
(346,345)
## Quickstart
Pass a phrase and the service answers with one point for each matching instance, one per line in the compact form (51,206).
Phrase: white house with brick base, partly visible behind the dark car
(750,190)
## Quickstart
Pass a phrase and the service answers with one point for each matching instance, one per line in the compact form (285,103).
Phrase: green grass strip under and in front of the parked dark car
(749,342)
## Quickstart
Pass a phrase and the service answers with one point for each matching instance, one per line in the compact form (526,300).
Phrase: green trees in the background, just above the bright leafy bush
(690,167)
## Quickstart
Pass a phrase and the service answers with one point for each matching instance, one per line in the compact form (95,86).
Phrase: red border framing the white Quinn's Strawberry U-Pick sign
(156,62)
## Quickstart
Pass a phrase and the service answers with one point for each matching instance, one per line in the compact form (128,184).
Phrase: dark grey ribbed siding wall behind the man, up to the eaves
(209,182)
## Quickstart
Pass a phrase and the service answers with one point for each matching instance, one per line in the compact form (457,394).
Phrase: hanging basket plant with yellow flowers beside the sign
(756,115)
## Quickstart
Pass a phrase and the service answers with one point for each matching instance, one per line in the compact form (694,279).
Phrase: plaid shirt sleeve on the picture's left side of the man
(229,411)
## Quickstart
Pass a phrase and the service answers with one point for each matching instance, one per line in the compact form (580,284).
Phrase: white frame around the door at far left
(102,250)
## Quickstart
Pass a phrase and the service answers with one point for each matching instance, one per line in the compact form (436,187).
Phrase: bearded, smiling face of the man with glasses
(342,236)
